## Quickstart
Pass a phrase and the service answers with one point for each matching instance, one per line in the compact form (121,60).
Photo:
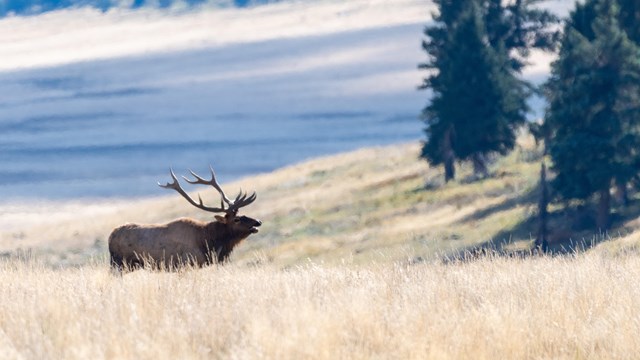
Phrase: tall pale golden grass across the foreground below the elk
(564,307)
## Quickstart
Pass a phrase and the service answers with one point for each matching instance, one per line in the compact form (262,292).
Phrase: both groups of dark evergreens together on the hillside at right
(477,50)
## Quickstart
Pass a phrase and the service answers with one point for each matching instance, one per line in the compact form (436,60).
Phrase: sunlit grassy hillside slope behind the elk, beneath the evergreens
(376,204)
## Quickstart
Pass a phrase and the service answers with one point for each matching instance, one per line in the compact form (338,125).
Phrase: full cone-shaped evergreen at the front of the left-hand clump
(478,102)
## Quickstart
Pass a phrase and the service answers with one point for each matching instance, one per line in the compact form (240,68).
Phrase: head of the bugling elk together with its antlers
(243,225)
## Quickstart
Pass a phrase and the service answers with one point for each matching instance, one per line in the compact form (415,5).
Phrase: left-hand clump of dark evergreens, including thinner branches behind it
(471,114)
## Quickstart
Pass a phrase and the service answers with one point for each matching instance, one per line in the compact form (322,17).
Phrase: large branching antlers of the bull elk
(232,206)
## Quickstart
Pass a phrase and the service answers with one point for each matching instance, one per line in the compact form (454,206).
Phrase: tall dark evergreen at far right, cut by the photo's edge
(593,96)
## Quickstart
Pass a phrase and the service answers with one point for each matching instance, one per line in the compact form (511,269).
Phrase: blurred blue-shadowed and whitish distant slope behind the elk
(100,105)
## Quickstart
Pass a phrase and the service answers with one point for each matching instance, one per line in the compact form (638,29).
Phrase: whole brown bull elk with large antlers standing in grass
(185,241)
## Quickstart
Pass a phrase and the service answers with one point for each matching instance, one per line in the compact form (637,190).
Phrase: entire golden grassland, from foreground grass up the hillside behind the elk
(351,263)
